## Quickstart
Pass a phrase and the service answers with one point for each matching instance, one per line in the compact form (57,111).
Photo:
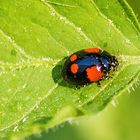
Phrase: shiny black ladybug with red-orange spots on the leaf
(88,66)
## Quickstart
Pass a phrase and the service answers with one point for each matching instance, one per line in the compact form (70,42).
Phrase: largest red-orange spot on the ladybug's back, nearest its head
(94,74)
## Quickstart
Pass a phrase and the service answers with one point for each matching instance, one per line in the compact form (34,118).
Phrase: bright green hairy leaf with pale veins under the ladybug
(36,36)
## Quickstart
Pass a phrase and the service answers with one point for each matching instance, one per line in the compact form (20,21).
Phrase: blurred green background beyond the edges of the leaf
(120,120)
